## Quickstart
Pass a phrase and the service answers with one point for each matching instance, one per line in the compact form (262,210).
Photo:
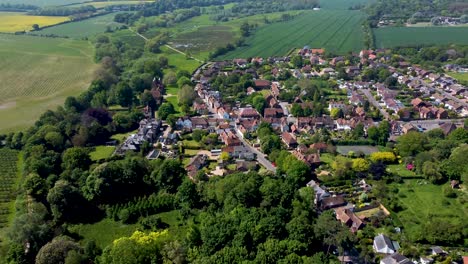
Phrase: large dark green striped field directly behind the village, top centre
(336,31)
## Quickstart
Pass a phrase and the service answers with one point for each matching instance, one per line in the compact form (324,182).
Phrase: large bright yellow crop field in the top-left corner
(18,21)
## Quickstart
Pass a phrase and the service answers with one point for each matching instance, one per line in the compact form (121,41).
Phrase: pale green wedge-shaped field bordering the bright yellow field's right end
(83,28)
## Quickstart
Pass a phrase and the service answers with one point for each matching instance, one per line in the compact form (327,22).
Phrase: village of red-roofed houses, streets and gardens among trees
(222,136)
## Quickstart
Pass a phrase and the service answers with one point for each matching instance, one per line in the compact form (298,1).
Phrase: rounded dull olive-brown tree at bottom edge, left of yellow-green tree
(56,251)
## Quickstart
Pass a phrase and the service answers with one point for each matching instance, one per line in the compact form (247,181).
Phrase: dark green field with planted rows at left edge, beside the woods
(8,182)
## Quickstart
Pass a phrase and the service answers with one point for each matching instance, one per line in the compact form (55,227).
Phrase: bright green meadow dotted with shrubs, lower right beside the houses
(423,202)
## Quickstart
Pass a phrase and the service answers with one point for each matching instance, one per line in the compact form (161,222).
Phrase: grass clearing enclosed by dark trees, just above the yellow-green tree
(103,232)
